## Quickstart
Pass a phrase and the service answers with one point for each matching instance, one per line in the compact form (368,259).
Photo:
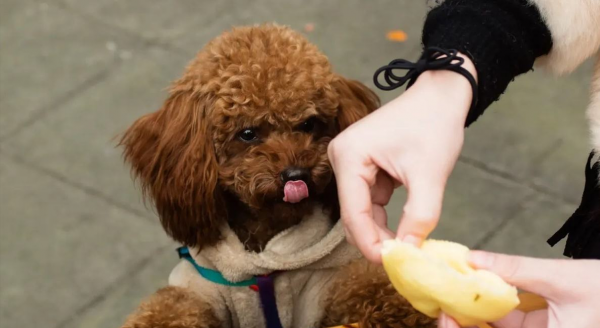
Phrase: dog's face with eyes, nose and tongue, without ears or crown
(268,157)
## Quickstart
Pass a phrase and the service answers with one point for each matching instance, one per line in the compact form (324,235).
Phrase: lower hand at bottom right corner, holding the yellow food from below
(571,288)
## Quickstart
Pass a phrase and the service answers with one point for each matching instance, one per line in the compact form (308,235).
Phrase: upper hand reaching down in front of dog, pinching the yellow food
(413,141)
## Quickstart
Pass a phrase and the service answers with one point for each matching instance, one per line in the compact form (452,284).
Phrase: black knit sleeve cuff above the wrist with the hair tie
(502,37)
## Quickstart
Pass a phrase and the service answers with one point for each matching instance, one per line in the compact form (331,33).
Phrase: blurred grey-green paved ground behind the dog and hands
(77,246)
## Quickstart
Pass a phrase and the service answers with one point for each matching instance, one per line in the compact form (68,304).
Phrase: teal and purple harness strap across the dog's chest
(262,284)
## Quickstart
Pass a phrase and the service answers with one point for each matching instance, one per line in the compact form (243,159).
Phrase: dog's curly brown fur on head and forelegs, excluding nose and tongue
(196,161)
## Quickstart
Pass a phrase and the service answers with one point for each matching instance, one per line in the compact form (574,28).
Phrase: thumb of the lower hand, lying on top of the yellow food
(540,276)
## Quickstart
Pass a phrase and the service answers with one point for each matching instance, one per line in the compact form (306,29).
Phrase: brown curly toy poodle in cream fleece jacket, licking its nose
(236,164)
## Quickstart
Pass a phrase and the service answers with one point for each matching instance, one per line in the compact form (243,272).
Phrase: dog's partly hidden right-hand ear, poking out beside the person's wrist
(355,101)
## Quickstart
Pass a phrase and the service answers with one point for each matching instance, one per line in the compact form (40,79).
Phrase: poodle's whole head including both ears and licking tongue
(251,118)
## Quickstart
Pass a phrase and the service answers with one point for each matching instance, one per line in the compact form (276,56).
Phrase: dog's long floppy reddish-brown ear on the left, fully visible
(172,156)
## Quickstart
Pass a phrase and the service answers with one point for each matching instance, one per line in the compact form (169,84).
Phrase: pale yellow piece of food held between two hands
(437,278)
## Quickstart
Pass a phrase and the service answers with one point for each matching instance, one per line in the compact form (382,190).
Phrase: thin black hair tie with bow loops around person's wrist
(429,61)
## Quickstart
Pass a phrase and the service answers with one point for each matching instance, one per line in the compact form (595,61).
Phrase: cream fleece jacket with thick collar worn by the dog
(307,257)
